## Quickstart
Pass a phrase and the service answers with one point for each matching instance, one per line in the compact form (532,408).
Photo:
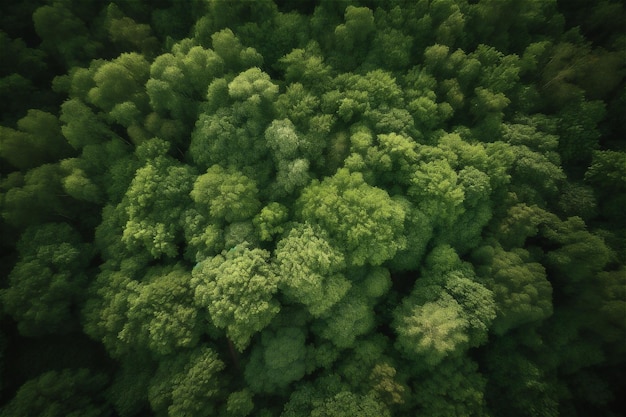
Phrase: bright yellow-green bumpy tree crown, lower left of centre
(237,290)
